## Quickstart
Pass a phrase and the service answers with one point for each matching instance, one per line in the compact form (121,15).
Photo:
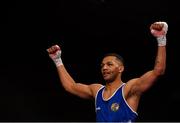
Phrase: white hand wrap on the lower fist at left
(57,58)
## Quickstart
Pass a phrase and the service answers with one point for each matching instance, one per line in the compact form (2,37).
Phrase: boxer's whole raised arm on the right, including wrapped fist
(143,83)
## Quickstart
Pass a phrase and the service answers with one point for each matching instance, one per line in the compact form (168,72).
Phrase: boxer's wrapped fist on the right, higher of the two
(159,30)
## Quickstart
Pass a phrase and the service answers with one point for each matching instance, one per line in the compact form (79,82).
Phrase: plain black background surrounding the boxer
(85,30)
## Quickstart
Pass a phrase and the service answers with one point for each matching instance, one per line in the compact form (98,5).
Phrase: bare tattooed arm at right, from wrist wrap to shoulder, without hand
(143,83)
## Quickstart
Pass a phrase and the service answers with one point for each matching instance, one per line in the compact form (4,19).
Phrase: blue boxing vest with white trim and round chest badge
(115,108)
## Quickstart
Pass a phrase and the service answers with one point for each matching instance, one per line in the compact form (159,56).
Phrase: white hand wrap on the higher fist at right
(161,39)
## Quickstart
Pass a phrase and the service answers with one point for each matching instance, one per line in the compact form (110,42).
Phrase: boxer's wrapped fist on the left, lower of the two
(55,54)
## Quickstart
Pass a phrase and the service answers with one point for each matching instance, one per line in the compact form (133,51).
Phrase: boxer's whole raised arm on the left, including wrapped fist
(78,89)
